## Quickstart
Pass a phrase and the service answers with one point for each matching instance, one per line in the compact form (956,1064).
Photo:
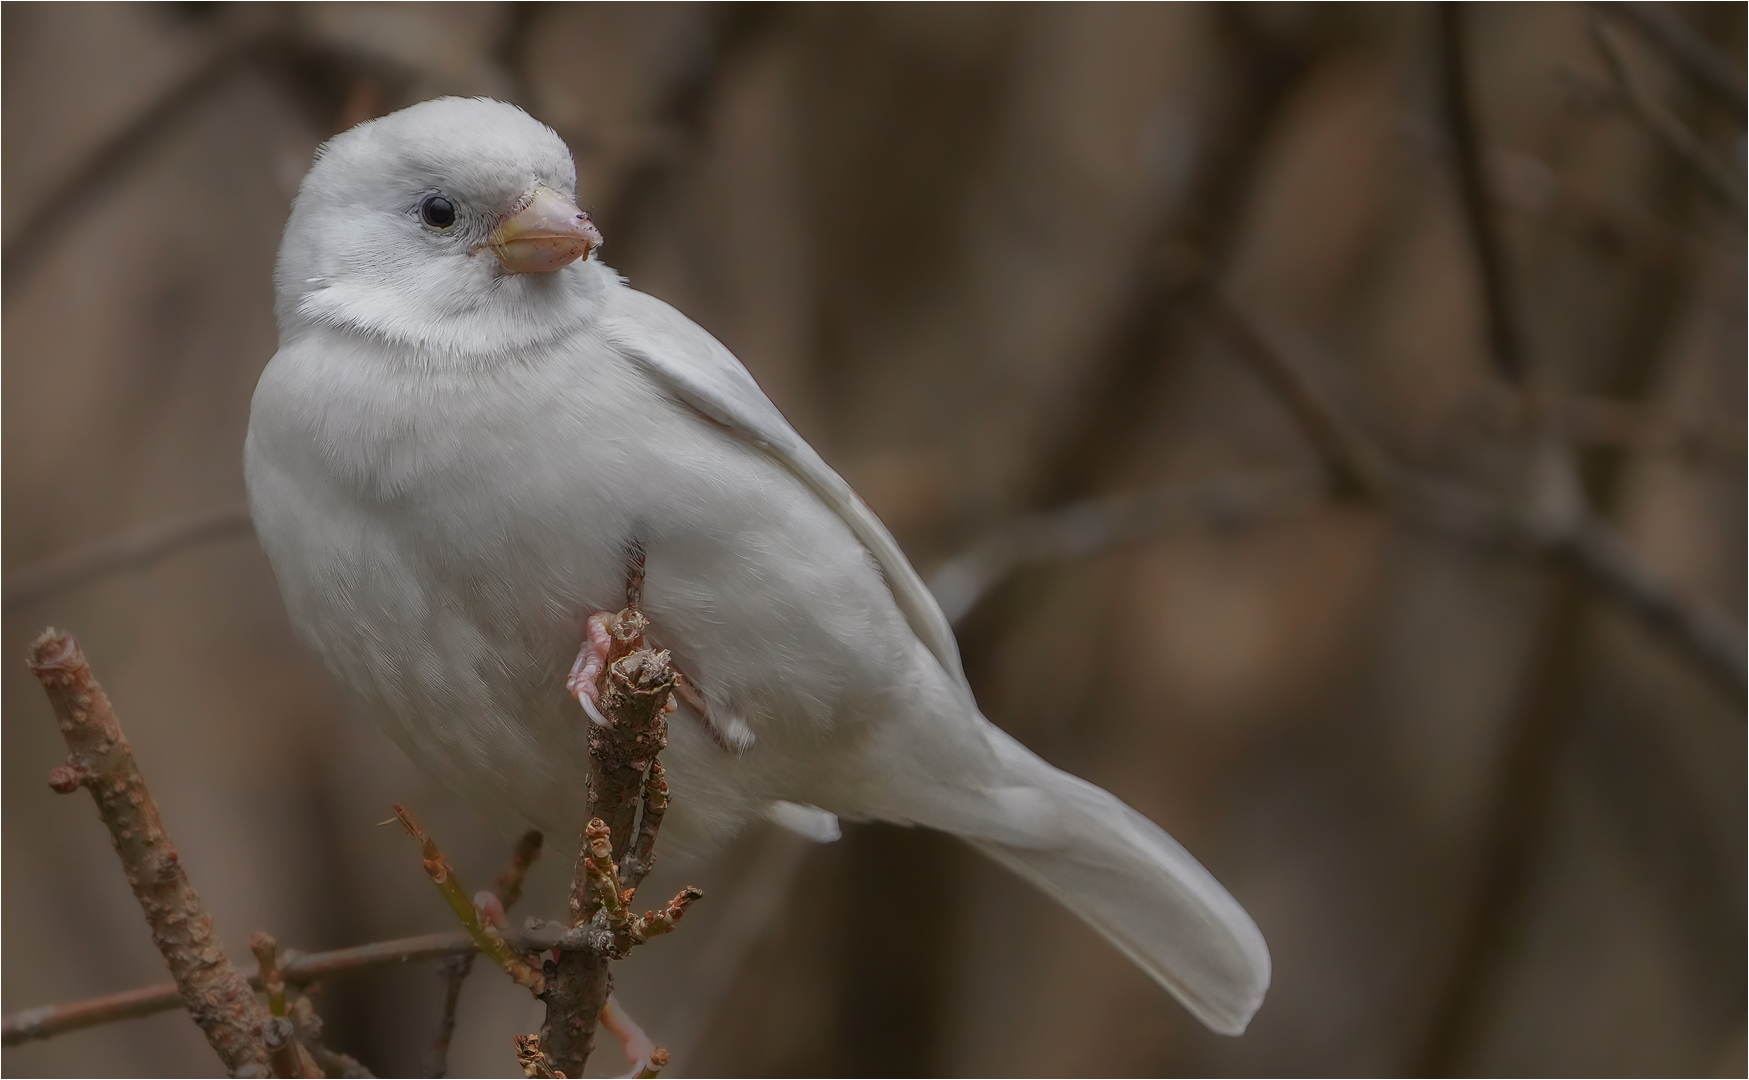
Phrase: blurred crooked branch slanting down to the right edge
(1694,626)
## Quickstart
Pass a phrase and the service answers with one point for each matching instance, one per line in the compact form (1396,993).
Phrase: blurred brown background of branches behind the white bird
(1390,360)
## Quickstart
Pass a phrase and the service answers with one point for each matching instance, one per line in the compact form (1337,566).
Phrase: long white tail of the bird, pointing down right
(1124,876)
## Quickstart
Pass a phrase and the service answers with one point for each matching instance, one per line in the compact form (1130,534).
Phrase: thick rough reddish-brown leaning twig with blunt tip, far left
(102,762)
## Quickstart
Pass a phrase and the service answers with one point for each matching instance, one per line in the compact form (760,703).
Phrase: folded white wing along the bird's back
(706,375)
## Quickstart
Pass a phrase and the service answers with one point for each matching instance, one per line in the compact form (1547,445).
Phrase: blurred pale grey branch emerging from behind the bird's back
(1097,526)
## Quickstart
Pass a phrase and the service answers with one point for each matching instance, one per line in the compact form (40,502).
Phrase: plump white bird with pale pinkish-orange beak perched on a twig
(468,423)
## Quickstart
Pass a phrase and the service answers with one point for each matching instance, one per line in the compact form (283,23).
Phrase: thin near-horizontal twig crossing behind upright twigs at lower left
(295,969)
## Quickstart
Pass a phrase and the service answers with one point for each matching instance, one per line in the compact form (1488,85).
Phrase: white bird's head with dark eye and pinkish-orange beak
(452,227)
